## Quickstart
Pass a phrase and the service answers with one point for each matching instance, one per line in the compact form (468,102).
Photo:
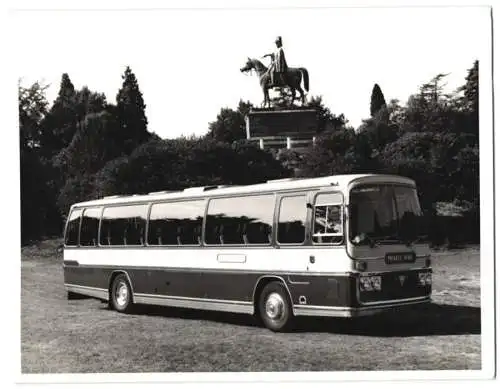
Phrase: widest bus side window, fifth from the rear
(244,220)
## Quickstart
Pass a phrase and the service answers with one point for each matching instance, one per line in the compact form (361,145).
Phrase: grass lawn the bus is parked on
(60,336)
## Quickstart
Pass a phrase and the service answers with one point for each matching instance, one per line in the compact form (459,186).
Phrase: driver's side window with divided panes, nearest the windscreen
(328,219)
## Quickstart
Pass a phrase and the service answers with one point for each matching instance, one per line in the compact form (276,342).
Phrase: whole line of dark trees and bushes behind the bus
(83,147)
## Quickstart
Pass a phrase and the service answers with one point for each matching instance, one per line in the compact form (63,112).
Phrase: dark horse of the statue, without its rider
(292,77)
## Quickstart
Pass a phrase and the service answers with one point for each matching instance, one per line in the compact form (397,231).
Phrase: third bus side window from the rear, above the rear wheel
(123,225)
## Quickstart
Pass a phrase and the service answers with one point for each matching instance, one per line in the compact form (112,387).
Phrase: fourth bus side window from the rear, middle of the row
(176,224)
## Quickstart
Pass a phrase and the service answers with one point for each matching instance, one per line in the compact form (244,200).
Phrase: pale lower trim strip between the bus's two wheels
(196,303)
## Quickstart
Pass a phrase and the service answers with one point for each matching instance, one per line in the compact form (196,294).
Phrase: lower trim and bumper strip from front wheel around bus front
(313,310)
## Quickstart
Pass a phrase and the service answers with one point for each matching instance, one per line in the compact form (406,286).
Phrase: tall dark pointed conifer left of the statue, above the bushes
(131,115)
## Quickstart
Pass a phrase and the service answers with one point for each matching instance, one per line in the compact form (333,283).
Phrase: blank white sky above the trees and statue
(187,61)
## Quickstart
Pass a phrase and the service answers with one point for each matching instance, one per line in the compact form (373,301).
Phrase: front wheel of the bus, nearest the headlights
(275,308)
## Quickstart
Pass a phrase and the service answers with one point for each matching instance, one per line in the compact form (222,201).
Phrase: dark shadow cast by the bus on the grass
(435,319)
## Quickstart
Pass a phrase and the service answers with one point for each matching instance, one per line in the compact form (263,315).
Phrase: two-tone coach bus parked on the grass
(341,246)
